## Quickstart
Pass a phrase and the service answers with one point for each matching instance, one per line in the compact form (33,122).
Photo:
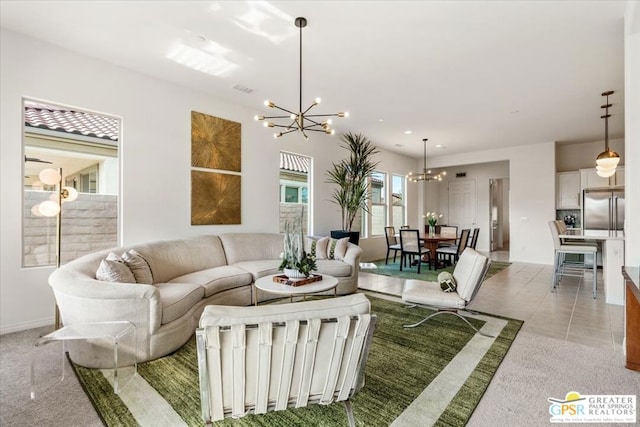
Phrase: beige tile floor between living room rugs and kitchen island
(522,291)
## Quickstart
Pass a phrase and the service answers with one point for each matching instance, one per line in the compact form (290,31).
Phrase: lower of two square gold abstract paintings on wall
(215,198)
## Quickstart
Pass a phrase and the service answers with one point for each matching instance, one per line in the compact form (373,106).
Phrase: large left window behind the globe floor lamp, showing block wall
(85,146)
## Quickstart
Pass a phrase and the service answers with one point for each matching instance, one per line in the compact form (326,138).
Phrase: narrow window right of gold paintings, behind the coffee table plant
(294,189)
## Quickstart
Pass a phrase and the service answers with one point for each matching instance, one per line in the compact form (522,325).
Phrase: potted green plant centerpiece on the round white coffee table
(296,262)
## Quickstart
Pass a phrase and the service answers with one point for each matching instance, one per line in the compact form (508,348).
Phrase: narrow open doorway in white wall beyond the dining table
(499,217)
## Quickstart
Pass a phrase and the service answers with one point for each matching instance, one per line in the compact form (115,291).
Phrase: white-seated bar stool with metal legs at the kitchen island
(568,267)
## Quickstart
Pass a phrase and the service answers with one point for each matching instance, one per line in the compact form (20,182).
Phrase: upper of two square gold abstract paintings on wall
(215,142)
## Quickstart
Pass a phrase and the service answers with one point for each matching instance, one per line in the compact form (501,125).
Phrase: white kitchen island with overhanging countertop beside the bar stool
(612,246)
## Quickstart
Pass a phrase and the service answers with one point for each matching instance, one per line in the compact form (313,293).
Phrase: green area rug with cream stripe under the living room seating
(401,366)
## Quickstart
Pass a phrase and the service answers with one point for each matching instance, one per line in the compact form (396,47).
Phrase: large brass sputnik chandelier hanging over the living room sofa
(301,120)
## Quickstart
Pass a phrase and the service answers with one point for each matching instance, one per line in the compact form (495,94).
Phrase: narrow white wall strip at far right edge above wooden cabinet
(632,134)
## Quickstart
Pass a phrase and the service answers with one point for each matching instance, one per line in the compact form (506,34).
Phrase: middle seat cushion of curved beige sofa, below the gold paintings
(217,279)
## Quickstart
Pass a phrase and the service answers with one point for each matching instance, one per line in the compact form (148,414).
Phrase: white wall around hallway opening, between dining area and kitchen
(531,197)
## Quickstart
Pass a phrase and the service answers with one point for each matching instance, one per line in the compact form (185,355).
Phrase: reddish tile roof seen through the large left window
(61,119)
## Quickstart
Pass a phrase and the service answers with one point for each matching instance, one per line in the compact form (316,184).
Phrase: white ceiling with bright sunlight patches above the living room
(469,75)
